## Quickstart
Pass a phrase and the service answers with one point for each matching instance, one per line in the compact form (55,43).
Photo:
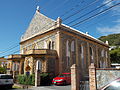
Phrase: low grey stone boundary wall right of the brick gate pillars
(105,76)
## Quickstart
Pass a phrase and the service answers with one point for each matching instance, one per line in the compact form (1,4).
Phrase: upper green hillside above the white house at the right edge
(113,39)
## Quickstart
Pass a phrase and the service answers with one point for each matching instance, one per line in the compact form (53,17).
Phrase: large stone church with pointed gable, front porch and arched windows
(55,47)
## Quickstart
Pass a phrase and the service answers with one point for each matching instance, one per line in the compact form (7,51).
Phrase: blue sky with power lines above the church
(15,16)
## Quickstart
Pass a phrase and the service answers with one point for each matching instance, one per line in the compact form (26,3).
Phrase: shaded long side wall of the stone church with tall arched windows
(86,51)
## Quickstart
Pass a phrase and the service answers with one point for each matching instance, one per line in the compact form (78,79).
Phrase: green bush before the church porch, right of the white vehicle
(26,80)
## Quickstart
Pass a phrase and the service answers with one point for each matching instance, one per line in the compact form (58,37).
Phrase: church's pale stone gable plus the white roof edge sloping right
(41,24)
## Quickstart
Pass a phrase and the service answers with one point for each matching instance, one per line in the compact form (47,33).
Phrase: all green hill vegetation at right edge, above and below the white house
(114,40)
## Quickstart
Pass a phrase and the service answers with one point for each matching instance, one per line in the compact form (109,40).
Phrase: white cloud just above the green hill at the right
(109,30)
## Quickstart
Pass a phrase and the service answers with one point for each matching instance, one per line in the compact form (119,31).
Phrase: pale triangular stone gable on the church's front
(39,24)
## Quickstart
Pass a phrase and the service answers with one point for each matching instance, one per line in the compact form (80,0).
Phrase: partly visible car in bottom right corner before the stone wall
(114,85)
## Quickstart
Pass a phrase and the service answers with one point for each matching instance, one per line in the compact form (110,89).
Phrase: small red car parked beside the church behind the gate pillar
(63,79)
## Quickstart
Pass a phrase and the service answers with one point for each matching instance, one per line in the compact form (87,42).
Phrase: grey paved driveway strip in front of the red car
(68,87)
